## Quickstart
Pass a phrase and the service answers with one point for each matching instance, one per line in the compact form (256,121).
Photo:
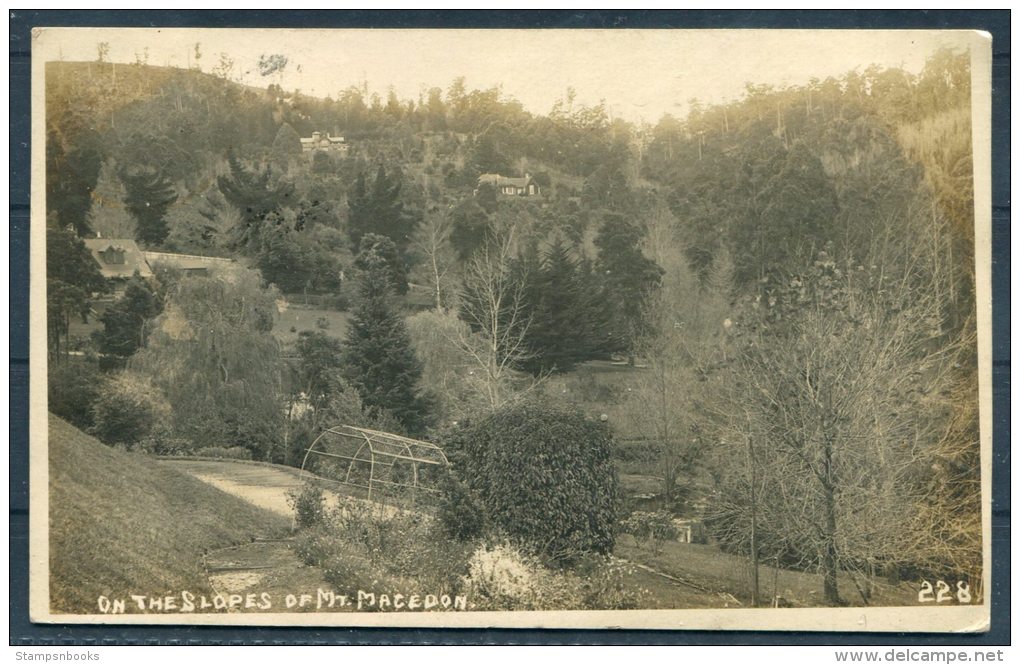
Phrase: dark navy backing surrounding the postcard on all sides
(25,634)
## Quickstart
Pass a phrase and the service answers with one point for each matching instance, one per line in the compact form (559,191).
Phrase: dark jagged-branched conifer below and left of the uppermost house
(256,196)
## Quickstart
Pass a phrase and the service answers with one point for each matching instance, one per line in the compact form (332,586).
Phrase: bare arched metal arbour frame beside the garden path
(369,459)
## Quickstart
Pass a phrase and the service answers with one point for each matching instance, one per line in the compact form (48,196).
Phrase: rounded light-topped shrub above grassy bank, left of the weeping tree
(128,410)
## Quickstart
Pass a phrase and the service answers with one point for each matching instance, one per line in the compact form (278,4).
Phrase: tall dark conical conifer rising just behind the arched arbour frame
(379,359)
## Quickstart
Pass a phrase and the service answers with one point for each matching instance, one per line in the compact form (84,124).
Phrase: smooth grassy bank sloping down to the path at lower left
(121,525)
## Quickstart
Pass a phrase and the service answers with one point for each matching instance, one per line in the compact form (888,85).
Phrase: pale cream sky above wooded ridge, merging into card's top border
(641,74)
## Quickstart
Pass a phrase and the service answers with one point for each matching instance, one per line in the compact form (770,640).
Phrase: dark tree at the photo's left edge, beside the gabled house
(73,278)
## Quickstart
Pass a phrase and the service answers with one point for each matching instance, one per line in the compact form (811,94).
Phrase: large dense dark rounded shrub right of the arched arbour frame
(544,477)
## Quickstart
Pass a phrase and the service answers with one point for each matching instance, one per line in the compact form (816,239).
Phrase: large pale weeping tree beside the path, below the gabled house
(213,354)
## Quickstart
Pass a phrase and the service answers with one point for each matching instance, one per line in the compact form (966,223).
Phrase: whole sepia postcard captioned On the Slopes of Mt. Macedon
(645,329)
